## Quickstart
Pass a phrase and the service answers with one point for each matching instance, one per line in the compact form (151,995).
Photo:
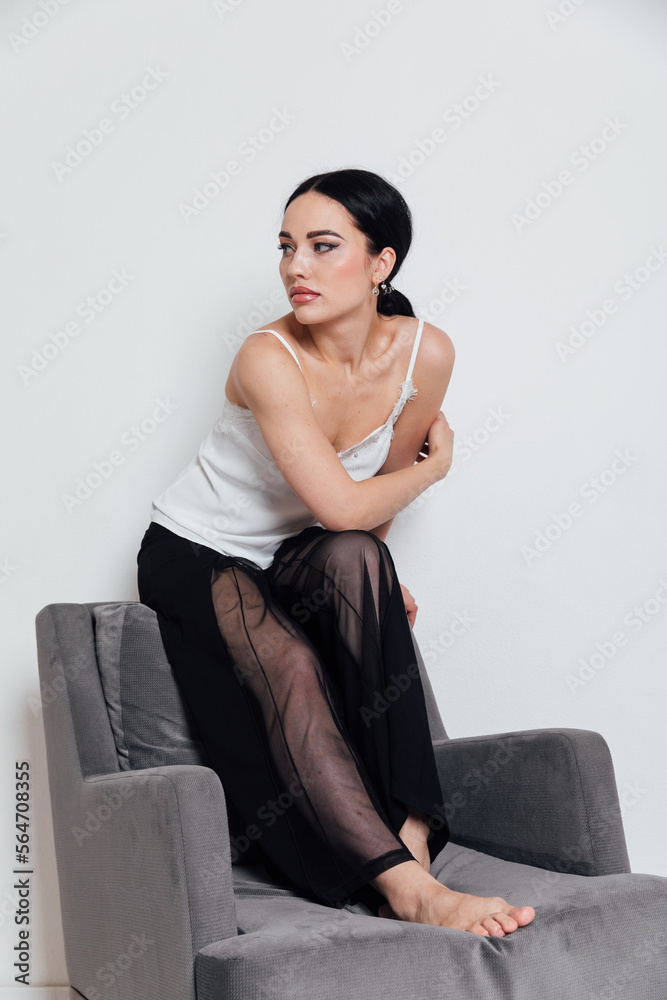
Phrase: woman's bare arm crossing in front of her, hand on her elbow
(270,384)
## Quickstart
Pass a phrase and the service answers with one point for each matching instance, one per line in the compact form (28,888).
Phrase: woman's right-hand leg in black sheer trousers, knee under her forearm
(343,589)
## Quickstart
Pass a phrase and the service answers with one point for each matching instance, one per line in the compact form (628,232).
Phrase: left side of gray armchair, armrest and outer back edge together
(143,856)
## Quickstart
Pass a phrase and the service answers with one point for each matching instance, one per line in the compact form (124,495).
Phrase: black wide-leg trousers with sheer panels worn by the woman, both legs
(304,688)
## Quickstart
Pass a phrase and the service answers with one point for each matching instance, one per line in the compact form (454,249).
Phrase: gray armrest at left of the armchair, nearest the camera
(146,878)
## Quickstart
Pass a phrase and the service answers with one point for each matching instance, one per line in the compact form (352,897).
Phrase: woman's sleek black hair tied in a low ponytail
(380,212)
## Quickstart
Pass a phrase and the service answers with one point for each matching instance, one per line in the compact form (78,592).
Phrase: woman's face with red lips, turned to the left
(323,251)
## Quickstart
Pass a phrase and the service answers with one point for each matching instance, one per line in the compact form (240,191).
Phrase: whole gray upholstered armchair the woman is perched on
(154,909)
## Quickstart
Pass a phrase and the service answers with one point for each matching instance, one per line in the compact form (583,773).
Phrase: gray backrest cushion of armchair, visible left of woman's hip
(151,724)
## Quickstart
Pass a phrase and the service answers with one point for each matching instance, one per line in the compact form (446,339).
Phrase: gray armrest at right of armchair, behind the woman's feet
(543,797)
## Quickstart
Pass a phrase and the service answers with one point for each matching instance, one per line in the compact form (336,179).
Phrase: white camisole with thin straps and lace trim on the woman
(232,496)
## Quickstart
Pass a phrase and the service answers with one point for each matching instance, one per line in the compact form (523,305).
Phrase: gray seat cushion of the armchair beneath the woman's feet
(592,938)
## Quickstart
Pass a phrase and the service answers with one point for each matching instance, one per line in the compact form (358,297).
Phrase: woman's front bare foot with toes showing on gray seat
(415,896)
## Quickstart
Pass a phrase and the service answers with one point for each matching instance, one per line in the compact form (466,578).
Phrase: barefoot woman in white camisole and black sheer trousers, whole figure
(275,591)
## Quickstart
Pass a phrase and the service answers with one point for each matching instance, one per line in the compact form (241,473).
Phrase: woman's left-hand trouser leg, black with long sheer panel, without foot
(269,718)
